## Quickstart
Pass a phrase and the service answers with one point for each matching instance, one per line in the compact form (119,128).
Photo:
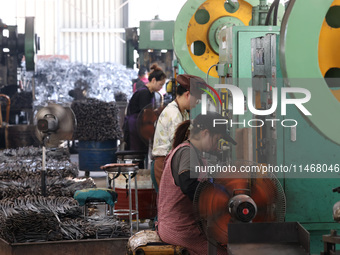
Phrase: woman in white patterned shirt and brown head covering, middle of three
(188,93)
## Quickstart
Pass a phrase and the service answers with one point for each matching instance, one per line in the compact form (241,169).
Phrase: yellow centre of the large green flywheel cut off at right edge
(329,54)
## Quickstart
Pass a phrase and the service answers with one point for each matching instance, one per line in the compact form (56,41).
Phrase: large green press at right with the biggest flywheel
(311,147)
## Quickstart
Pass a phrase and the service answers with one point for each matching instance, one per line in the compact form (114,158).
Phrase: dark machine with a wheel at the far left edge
(15,48)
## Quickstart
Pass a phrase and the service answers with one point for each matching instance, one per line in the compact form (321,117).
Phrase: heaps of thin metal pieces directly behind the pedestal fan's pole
(20,173)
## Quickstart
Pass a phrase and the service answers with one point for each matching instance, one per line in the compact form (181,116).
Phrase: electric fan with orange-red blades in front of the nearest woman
(237,197)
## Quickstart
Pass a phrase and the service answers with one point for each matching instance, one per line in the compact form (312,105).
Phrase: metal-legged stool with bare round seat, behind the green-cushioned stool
(113,171)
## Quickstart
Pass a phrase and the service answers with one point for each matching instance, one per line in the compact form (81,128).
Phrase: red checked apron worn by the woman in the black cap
(176,221)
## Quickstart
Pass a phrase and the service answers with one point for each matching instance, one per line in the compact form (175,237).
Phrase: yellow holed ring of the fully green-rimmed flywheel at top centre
(199,32)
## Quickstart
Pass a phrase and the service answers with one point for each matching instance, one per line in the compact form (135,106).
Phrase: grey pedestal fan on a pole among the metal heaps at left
(53,123)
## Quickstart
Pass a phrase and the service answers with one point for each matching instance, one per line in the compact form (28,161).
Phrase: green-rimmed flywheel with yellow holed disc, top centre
(199,27)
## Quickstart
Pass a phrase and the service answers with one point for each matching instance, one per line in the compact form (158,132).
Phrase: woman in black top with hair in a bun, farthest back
(141,98)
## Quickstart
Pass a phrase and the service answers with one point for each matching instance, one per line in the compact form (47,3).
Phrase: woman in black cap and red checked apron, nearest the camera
(176,220)
